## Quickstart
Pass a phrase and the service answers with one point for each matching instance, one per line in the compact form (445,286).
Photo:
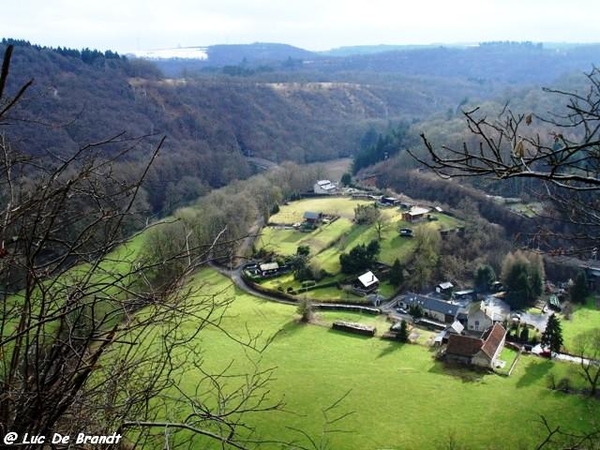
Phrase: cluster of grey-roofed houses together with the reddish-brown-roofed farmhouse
(471,330)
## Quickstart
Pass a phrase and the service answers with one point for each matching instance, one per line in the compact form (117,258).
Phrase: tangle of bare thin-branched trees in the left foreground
(94,337)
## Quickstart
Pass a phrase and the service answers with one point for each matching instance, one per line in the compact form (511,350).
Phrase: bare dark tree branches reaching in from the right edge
(560,153)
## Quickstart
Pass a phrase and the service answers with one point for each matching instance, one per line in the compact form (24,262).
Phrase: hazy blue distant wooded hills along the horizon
(507,62)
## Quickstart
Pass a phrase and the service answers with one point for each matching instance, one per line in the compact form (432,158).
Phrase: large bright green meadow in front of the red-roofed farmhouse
(399,397)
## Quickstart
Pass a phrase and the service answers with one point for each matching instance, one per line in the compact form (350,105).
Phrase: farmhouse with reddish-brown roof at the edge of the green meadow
(481,352)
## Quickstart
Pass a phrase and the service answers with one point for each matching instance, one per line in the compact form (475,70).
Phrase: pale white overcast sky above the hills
(129,25)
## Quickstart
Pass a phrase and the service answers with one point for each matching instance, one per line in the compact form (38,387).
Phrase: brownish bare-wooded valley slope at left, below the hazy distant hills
(211,122)
